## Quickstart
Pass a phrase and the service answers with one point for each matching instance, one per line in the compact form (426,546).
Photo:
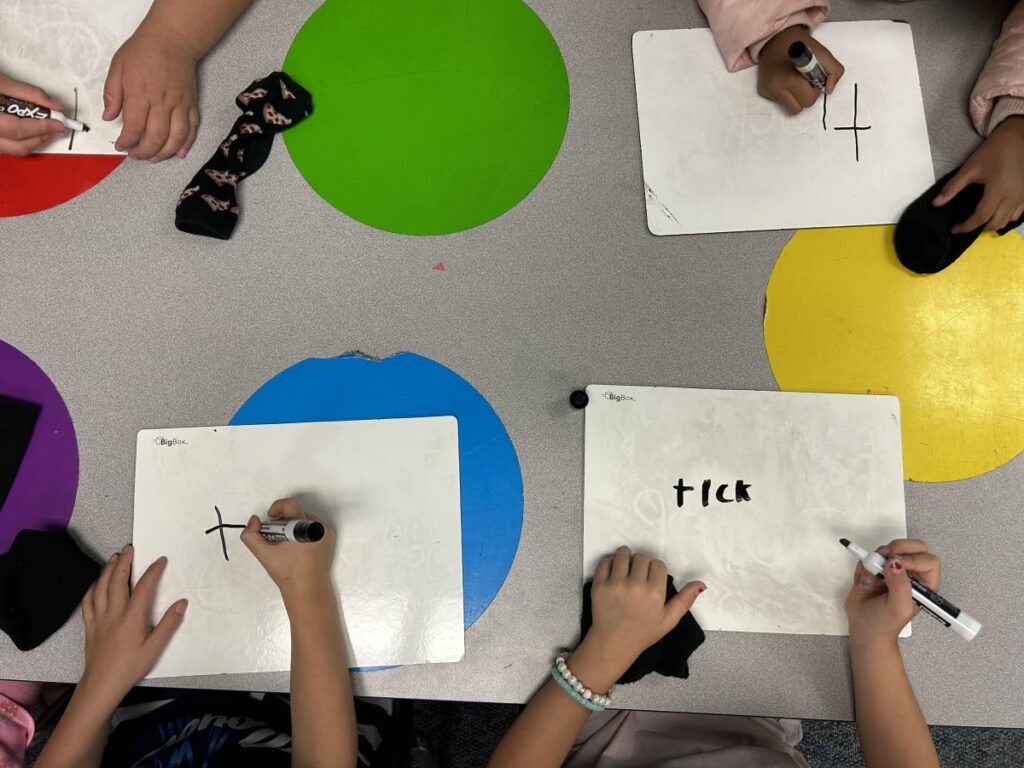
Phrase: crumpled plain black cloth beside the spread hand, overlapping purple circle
(44,578)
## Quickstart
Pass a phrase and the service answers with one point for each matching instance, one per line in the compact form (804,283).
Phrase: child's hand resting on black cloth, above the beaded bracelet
(628,602)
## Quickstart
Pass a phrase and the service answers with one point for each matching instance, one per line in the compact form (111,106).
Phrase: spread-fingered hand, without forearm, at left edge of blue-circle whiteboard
(120,646)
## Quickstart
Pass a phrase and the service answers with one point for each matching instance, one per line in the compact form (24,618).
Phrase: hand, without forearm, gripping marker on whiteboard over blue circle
(298,570)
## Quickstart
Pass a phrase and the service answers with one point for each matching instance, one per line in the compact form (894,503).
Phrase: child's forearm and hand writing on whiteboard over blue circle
(323,711)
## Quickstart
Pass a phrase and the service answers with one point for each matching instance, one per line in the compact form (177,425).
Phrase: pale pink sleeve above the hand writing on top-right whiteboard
(742,27)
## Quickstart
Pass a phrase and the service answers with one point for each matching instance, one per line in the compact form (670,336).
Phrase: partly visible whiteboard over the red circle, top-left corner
(66,47)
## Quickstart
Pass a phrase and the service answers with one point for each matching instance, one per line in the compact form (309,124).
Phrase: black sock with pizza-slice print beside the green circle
(209,204)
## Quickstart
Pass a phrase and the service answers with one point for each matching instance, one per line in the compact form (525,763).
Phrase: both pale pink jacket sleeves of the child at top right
(742,29)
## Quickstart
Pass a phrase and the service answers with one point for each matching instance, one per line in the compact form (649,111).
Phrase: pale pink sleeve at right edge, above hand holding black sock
(1003,74)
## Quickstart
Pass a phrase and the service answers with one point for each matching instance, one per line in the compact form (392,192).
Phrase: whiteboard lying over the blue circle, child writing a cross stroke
(391,488)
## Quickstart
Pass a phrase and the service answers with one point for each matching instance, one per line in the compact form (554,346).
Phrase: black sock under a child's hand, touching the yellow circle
(924,241)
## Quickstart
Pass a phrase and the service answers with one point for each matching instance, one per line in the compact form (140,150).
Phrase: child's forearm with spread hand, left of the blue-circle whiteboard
(120,650)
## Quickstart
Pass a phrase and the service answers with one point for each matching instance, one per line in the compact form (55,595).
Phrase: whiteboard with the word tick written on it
(788,475)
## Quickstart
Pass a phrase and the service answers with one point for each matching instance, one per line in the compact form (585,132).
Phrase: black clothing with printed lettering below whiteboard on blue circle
(224,729)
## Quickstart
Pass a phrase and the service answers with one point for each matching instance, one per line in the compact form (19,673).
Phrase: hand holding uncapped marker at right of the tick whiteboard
(879,610)
